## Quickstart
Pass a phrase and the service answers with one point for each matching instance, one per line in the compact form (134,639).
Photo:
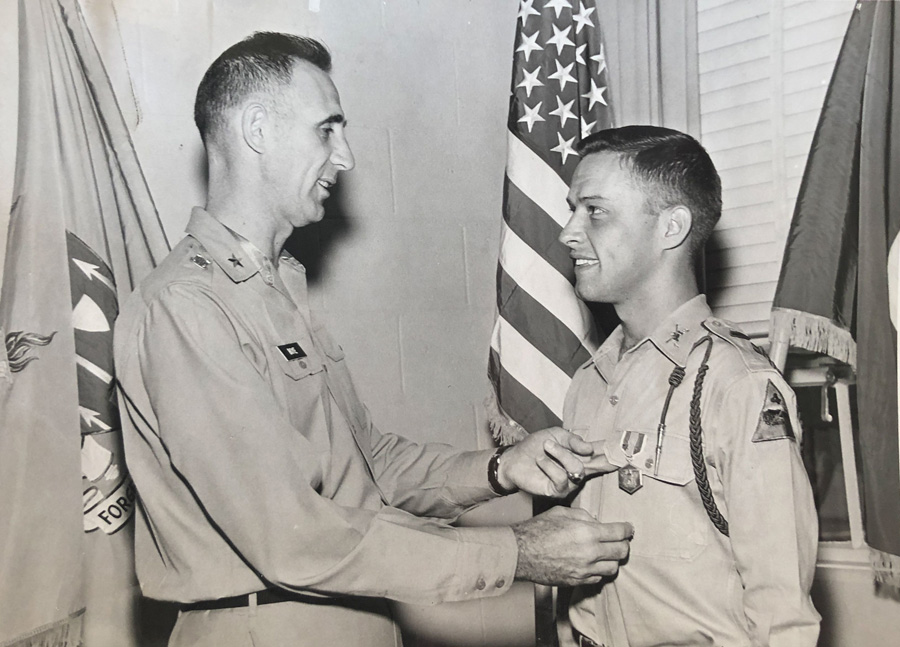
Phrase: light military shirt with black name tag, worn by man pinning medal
(256,463)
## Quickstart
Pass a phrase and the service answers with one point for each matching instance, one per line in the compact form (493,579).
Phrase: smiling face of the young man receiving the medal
(611,235)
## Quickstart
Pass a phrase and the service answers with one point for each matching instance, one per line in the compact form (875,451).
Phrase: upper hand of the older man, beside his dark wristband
(551,462)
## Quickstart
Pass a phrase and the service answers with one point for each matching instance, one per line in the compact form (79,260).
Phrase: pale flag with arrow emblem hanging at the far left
(83,230)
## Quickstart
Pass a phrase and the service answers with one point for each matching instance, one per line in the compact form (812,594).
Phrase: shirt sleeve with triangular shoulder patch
(772,519)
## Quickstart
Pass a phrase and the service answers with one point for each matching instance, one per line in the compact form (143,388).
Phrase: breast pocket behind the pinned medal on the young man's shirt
(668,514)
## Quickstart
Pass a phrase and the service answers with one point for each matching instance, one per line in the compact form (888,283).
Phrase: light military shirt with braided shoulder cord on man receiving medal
(686,583)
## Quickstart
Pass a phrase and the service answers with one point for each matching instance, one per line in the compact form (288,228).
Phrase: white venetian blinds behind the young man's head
(764,70)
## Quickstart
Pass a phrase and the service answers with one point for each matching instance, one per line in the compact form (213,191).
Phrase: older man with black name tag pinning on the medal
(271,508)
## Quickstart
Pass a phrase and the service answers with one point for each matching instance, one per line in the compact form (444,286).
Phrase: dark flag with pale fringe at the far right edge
(838,291)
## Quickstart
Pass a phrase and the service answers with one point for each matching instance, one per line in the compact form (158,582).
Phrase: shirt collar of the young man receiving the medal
(674,337)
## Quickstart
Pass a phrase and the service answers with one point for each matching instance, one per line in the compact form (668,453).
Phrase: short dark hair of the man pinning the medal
(259,63)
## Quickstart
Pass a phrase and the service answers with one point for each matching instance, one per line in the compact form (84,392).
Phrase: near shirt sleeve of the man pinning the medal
(255,475)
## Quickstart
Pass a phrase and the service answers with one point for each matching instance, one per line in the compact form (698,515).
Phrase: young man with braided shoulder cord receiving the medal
(703,428)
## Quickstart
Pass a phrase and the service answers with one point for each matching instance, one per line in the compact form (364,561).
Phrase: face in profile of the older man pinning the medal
(308,147)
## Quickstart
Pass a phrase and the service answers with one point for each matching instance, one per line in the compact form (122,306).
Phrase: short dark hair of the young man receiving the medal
(672,167)
